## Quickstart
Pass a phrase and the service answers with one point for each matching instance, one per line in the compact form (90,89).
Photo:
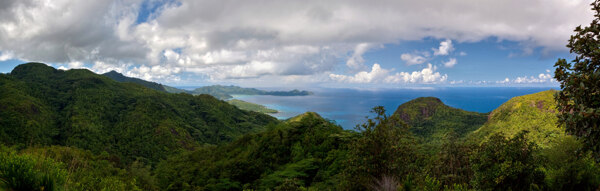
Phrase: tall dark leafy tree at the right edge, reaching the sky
(579,100)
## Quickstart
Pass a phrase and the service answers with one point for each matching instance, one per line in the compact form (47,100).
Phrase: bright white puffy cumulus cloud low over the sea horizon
(380,75)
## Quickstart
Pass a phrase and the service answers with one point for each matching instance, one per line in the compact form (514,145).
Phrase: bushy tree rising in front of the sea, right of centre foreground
(385,148)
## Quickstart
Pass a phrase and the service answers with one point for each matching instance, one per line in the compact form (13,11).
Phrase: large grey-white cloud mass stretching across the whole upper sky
(226,39)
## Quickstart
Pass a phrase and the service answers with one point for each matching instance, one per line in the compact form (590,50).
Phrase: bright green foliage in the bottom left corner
(26,172)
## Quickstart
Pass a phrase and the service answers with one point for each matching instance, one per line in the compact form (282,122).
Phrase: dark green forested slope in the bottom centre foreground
(309,151)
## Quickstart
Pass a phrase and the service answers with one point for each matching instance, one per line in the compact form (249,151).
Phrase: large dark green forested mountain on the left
(41,105)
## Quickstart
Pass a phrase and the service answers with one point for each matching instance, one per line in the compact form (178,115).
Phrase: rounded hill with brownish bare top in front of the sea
(429,117)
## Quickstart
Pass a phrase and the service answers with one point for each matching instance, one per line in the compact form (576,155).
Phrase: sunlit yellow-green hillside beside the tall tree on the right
(535,113)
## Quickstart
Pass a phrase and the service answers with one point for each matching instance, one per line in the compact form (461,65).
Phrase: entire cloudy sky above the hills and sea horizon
(297,43)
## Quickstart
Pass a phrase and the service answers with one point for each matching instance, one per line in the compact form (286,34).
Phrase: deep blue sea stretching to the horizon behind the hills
(349,107)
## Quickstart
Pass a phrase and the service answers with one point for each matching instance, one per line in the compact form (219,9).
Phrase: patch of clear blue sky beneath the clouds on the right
(488,59)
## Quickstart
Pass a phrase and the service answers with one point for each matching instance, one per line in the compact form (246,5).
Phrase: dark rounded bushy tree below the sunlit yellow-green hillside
(507,164)
